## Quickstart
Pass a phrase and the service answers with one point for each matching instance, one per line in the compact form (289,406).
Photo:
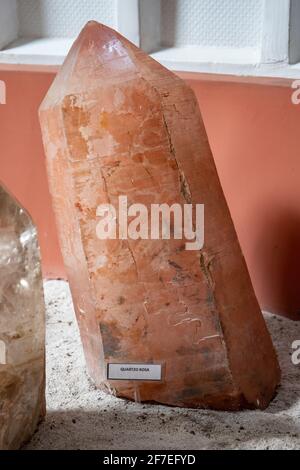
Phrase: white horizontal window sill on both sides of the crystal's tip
(45,52)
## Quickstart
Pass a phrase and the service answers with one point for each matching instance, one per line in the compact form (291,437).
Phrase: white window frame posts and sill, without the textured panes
(279,55)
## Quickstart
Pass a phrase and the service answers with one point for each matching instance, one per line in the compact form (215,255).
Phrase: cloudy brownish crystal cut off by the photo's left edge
(22,336)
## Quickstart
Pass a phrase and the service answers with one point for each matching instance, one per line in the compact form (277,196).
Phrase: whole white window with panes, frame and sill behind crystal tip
(242,37)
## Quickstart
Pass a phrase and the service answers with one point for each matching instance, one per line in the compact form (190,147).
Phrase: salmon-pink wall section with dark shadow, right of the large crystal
(254,134)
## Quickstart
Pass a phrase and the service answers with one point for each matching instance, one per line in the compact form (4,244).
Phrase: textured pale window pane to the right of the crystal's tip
(217,23)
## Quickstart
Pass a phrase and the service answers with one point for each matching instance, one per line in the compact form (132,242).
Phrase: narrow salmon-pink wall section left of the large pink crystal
(22,162)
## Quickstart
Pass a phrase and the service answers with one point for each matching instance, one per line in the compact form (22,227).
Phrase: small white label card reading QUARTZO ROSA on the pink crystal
(134,372)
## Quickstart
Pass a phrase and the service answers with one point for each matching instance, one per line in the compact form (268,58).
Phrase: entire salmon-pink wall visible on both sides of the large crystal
(254,134)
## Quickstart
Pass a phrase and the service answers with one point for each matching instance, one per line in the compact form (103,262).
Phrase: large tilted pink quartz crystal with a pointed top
(115,123)
